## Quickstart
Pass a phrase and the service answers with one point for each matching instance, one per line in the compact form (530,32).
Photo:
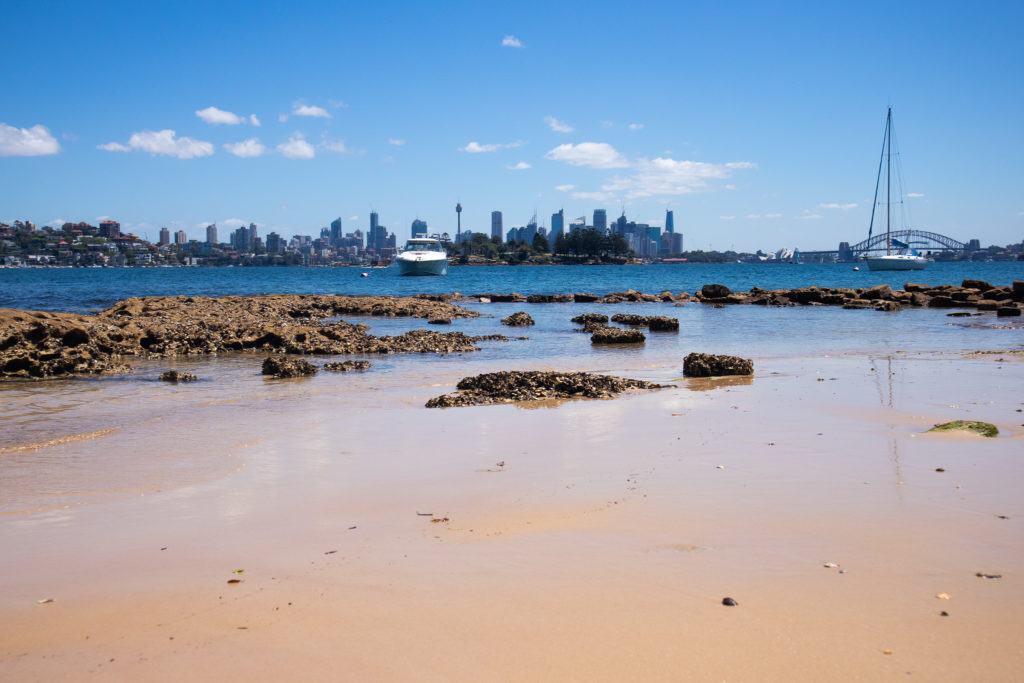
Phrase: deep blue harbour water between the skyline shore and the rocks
(89,290)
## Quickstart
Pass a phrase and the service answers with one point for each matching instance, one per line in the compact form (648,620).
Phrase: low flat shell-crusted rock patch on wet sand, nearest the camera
(513,387)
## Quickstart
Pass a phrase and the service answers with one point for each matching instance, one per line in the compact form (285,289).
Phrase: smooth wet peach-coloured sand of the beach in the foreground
(382,541)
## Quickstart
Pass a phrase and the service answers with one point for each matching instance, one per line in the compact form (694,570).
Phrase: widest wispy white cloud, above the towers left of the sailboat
(668,177)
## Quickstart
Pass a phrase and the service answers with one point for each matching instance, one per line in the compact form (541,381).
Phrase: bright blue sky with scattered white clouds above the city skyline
(759,124)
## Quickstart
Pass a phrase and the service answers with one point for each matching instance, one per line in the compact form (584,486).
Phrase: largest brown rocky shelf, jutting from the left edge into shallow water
(35,345)
